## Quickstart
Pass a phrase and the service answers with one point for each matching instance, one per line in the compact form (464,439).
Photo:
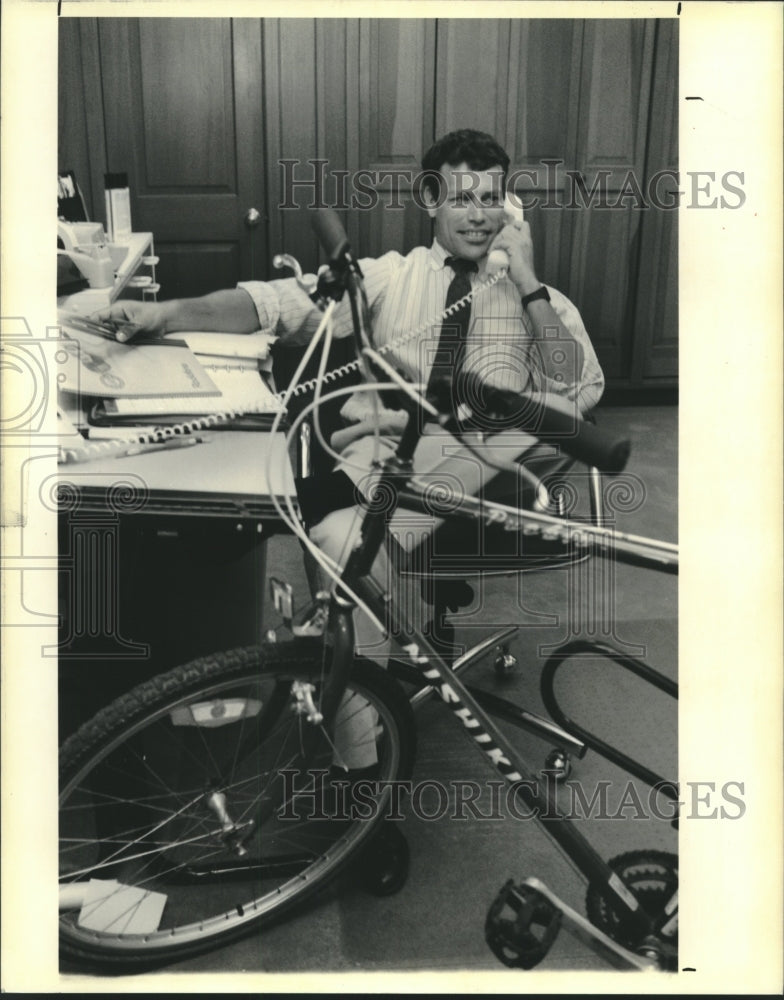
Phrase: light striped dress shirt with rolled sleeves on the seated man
(408,294)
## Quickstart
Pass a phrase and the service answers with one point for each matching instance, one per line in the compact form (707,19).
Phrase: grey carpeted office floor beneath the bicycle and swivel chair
(436,922)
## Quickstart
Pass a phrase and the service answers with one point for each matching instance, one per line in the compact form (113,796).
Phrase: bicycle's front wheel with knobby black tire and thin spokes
(138,803)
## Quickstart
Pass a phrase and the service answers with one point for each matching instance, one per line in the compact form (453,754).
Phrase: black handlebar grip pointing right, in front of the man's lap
(549,418)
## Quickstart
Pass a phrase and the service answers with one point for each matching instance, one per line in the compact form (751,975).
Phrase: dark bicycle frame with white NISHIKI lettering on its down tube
(435,671)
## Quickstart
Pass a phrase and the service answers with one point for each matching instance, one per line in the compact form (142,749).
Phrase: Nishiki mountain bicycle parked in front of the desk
(205,802)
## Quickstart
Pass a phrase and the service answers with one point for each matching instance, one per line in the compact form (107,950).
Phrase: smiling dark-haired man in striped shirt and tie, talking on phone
(516,334)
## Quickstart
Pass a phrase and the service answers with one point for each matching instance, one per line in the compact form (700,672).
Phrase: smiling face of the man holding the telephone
(470,210)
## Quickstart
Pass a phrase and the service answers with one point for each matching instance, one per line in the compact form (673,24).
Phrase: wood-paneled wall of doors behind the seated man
(204,113)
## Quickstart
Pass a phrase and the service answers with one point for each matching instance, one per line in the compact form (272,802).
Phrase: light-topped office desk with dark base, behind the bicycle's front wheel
(162,559)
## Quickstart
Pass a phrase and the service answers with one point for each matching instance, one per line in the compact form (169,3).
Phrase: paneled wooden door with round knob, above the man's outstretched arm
(183,114)
